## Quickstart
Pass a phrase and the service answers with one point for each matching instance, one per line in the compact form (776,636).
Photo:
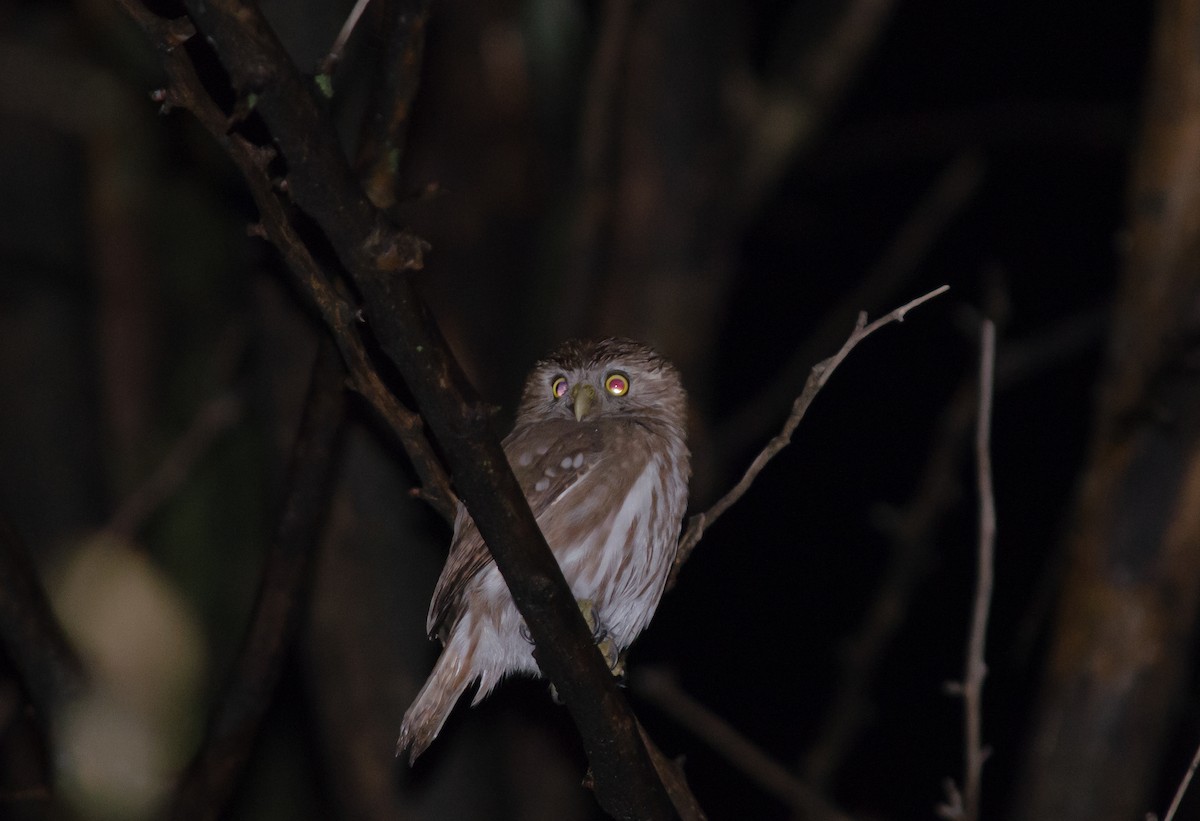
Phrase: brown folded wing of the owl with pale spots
(549,459)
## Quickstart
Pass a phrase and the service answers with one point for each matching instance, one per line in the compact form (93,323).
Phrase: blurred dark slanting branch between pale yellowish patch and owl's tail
(209,782)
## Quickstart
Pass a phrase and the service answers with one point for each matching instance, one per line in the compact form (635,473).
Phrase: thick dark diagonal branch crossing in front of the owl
(375,256)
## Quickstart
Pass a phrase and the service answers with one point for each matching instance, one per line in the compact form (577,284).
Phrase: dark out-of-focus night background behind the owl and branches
(133,301)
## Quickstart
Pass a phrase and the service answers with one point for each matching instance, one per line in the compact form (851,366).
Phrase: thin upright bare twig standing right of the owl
(965,806)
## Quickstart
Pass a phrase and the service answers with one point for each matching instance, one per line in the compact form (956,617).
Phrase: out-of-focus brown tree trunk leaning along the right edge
(1127,626)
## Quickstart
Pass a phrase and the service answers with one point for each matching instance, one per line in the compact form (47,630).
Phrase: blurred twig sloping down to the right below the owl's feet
(661,688)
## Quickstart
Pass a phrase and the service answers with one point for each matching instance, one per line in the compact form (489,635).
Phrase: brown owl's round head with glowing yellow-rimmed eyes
(607,379)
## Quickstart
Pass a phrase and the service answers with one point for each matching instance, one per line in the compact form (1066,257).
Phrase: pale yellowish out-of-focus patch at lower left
(122,746)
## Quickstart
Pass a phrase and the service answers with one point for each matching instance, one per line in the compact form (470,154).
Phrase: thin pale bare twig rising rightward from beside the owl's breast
(818,379)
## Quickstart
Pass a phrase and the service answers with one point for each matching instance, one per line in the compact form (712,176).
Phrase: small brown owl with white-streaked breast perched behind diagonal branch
(599,450)
